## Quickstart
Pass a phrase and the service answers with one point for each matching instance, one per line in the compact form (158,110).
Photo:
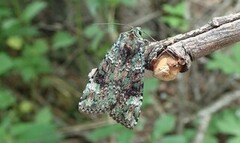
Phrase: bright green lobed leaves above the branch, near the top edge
(175,16)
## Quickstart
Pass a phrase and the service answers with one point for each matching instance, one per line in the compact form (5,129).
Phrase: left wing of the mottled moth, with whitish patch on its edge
(100,92)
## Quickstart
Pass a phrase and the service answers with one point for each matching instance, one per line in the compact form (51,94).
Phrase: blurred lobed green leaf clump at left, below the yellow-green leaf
(33,60)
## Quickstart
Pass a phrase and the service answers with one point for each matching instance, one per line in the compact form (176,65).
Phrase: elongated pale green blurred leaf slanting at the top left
(32,10)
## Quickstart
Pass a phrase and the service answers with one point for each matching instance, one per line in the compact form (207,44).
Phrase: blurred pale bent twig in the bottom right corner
(205,114)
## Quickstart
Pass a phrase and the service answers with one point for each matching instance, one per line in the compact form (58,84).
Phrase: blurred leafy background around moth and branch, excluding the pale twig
(47,48)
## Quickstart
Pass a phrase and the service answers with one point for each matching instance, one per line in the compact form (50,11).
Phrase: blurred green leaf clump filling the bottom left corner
(41,129)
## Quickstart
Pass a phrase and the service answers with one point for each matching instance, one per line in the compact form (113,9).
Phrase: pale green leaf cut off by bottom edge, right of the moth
(174,139)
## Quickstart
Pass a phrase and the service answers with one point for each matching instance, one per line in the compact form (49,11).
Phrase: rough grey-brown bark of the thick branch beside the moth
(185,48)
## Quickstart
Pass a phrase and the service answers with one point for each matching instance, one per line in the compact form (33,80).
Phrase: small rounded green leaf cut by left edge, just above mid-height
(6,63)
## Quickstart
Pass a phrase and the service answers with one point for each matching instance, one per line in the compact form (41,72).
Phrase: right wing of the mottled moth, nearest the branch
(128,106)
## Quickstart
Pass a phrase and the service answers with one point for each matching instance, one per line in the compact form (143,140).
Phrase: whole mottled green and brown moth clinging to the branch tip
(116,86)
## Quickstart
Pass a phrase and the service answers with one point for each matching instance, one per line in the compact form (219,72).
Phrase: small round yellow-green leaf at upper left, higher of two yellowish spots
(15,42)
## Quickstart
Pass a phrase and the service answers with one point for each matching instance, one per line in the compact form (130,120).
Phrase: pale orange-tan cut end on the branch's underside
(166,67)
